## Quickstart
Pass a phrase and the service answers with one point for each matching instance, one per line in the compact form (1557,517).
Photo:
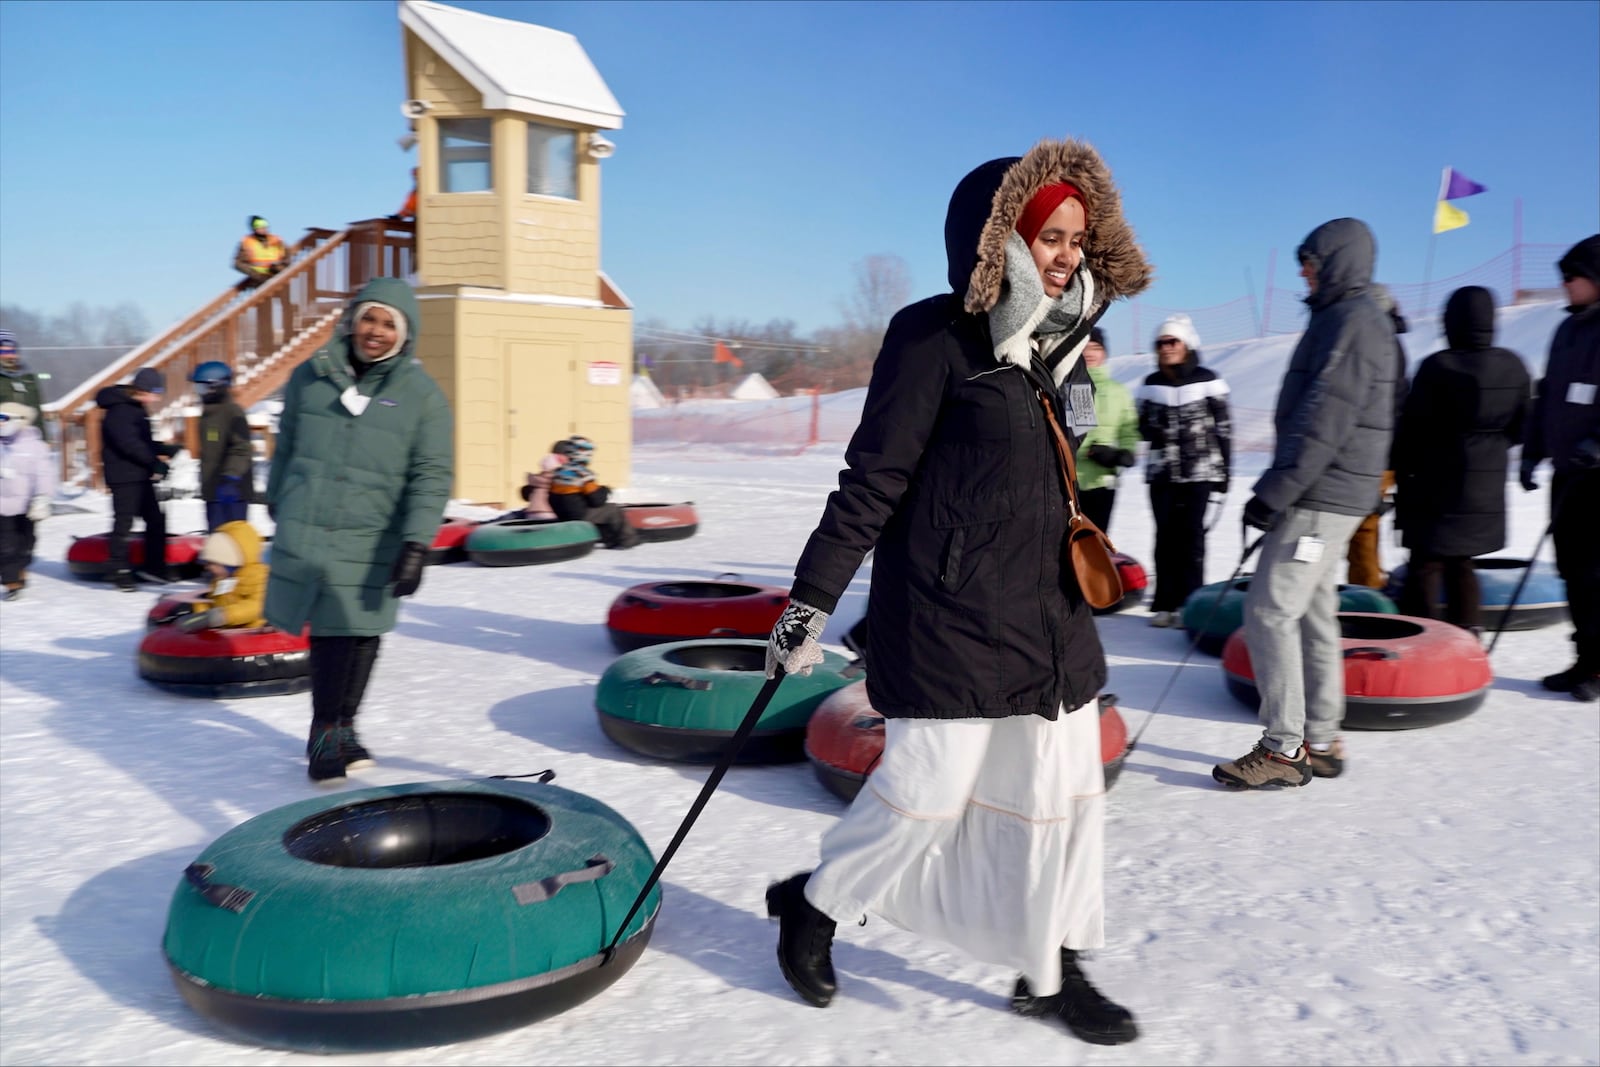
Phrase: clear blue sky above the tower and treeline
(772,146)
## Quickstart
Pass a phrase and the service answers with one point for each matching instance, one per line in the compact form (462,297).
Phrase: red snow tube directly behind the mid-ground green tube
(678,612)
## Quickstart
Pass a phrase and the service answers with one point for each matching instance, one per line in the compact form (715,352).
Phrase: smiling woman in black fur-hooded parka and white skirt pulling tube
(983,821)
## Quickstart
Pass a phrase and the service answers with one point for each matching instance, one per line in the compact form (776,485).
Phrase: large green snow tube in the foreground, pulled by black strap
(409,916)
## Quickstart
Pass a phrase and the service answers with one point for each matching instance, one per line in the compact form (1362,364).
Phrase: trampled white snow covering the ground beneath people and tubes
(1439,905)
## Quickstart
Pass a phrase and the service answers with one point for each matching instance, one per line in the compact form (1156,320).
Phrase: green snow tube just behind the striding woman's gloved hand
(686,701)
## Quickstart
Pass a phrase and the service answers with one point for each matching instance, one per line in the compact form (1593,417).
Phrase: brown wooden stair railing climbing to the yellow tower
(263,335)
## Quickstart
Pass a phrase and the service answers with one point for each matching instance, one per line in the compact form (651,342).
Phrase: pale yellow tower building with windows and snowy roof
(521,327)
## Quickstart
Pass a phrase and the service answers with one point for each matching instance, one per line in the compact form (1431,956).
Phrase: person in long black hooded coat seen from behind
(1463,415)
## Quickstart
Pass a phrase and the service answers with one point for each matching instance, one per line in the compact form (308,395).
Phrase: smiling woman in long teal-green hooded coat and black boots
(361,478)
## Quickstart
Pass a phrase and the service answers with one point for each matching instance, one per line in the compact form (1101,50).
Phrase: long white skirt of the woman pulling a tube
(983,833)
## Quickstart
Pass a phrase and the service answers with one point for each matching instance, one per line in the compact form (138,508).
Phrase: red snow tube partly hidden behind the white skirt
(844,740)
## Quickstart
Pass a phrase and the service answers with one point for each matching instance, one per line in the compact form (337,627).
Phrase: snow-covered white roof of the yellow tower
(518,66)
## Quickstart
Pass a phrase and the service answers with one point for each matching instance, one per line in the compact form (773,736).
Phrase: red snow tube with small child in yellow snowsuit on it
(226,663)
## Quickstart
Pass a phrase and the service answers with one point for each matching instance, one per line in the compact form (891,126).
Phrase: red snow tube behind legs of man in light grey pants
(1401,673)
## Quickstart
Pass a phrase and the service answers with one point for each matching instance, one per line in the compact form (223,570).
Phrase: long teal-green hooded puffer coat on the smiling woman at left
(348,490)
